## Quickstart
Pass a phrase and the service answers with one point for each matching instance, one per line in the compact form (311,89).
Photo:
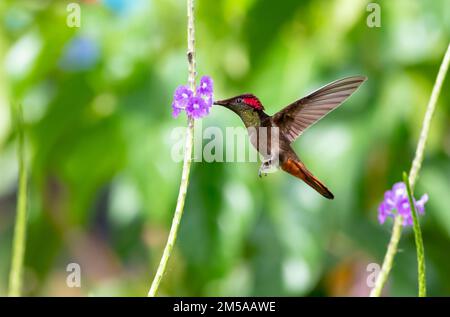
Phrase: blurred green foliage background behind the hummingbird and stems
(103,185)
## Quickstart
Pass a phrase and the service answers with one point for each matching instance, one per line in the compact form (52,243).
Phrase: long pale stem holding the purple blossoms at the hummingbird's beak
(187,159)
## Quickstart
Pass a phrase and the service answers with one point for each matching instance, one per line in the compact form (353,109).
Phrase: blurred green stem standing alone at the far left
(19,240)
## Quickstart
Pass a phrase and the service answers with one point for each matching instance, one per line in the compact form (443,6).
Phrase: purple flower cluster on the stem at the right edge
(397,199)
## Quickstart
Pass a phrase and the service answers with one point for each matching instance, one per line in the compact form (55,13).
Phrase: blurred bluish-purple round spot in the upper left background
(81,53)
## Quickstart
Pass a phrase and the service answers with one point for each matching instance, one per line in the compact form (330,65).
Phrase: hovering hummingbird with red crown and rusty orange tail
(273,135)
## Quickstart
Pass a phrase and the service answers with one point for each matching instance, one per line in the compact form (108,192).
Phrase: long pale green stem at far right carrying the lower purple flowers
(414,172)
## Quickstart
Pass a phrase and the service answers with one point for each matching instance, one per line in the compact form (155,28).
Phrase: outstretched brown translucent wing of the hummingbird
(303,113)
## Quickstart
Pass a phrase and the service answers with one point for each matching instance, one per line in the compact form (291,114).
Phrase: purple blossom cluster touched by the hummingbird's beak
(196,106)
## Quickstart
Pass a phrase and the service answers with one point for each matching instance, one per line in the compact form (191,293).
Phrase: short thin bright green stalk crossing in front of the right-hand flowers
(418,239)
